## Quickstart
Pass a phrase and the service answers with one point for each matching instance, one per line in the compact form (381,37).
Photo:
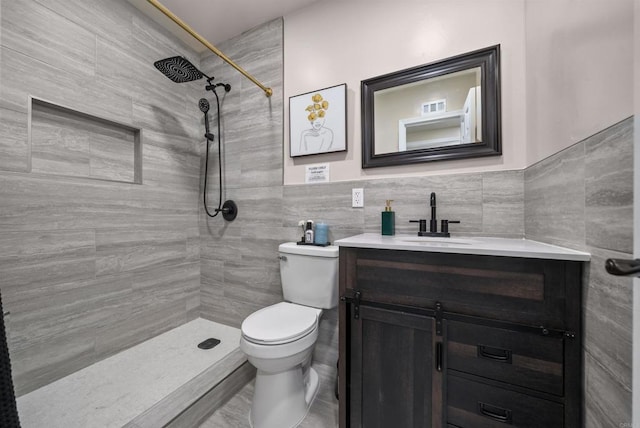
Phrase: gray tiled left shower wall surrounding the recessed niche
(90,267)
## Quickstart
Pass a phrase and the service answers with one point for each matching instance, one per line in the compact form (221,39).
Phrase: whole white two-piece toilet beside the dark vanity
(279,339)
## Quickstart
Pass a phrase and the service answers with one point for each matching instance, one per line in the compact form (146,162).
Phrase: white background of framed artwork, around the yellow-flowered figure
(335,121)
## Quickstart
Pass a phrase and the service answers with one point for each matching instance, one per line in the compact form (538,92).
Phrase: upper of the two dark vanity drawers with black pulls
(520,358)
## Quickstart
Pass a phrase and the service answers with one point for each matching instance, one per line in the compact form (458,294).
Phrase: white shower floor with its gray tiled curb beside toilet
(165,381)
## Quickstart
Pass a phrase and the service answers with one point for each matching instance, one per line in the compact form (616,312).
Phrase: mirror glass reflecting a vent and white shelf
(443,111)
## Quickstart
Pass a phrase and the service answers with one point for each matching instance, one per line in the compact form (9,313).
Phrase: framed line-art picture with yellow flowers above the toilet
(318,121)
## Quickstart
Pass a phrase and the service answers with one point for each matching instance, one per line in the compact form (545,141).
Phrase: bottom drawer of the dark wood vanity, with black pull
(475,405)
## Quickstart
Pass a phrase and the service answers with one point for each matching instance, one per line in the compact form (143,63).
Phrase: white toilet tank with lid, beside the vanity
(309,274)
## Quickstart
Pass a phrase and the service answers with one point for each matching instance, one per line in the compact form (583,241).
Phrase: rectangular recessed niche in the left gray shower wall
(68,142)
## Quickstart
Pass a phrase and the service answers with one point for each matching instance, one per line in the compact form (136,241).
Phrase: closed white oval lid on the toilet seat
(280,323)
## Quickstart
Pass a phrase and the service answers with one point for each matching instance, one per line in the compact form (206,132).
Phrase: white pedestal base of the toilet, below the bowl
(279,401)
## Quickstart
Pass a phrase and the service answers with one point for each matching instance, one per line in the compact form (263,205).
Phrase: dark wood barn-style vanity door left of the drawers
(392,376)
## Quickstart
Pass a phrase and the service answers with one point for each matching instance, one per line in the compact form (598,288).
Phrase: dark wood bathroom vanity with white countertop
(447,332)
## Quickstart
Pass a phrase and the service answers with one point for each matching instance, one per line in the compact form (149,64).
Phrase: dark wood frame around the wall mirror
(488,60)
